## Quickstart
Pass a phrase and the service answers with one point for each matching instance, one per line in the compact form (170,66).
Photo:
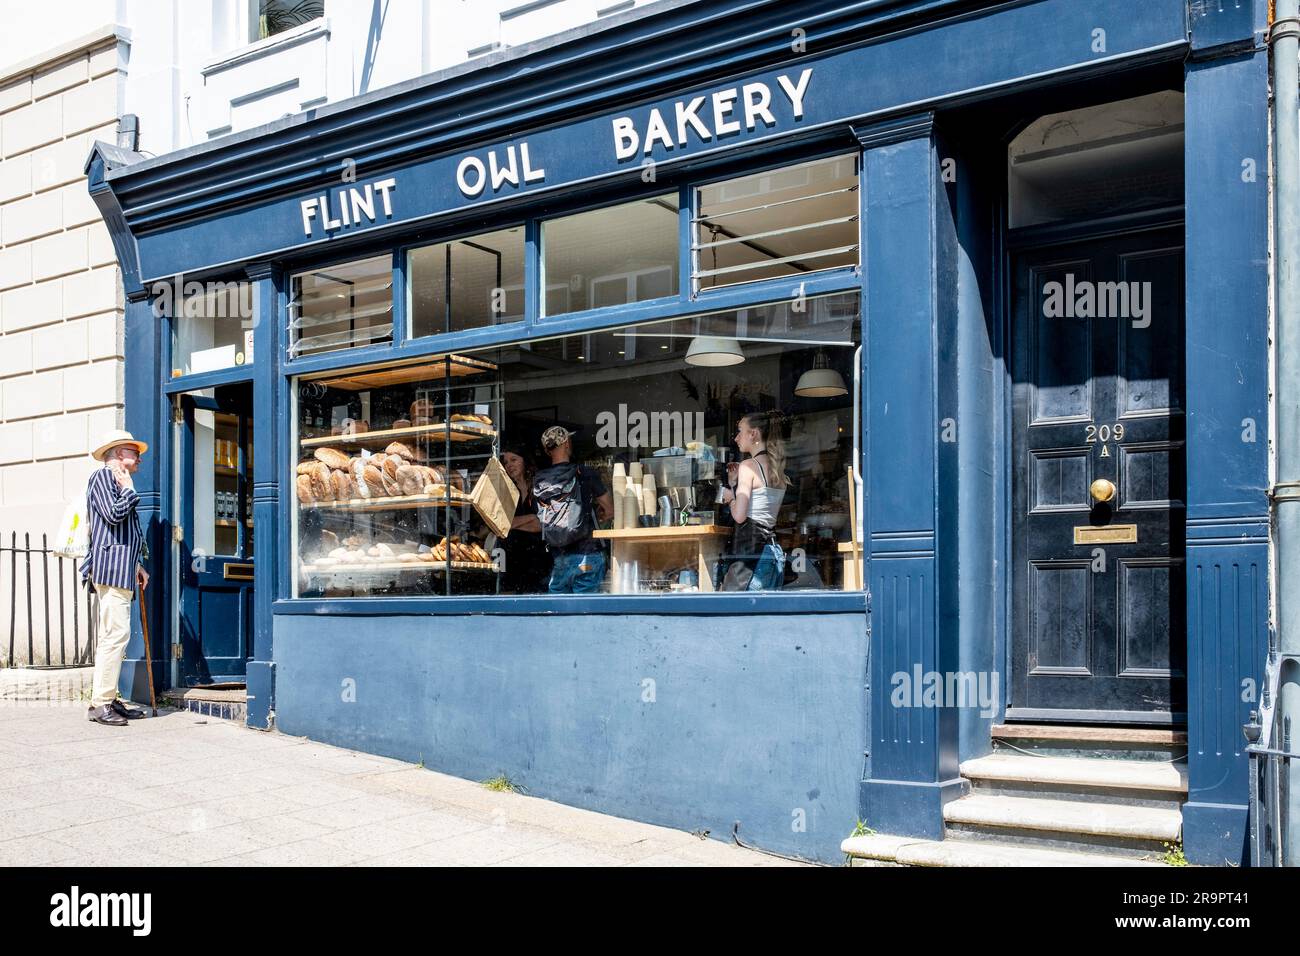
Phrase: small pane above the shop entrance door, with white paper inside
(214,330)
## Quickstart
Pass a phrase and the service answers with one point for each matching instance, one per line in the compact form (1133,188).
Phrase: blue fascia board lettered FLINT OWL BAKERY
(268,224)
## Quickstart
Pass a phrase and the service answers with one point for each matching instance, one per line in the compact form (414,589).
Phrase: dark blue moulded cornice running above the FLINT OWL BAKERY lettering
(697,45)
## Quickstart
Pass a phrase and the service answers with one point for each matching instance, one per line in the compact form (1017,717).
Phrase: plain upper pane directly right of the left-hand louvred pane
(487,275)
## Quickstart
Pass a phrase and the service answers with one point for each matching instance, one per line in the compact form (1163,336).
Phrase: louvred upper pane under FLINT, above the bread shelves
(344,306)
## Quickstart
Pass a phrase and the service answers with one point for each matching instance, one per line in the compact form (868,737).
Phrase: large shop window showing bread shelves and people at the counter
(421,479)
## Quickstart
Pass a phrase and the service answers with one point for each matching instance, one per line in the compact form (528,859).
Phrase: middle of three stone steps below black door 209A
(1067,816)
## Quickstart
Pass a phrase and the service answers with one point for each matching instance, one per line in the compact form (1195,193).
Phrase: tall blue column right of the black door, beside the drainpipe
(1228,434)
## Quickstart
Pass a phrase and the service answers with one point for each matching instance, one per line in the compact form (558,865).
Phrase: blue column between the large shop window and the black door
(913,759)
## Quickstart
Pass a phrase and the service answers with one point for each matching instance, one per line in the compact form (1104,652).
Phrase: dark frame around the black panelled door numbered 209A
(1017,243)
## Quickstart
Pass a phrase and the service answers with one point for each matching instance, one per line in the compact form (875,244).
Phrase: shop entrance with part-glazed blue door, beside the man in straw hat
(216,542)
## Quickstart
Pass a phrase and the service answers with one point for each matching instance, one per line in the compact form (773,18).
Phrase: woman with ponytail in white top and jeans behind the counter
(755,491)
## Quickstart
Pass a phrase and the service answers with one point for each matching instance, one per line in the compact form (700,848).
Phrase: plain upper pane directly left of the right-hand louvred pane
(612,257)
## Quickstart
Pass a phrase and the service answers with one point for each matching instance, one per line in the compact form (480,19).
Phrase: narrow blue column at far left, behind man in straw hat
(148,419)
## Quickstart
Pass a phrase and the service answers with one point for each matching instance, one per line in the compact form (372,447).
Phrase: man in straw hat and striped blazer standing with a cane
(115,565)
